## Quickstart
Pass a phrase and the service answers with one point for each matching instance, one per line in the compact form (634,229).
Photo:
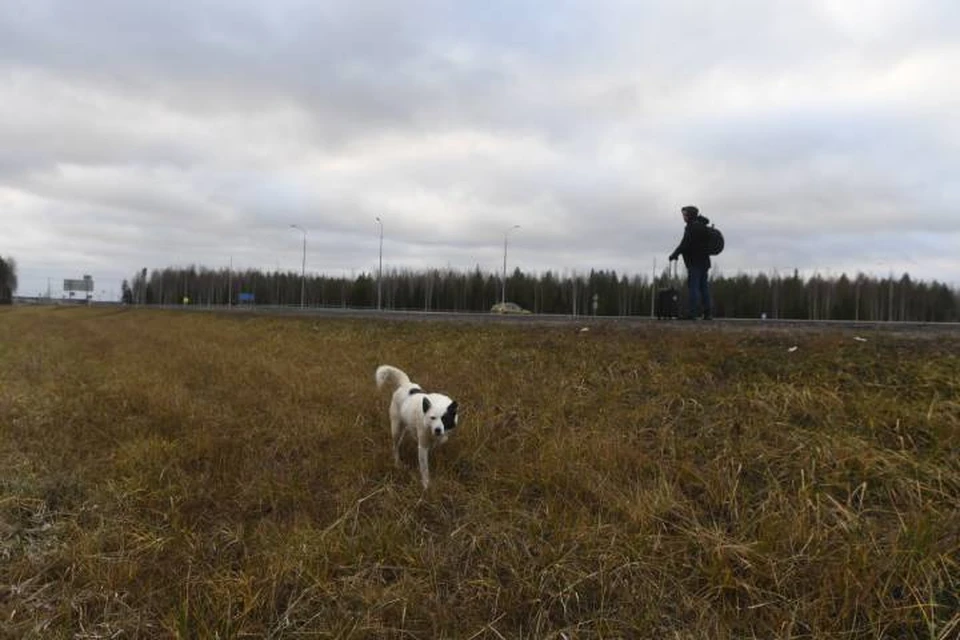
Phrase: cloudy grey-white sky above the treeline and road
(818,134)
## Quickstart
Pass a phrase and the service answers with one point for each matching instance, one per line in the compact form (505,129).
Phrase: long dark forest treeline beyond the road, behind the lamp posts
(600,292)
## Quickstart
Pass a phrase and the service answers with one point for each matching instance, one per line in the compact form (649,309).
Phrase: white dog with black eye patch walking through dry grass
(429,417)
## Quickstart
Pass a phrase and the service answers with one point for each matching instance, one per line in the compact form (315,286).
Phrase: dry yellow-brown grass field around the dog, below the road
(181,475)
